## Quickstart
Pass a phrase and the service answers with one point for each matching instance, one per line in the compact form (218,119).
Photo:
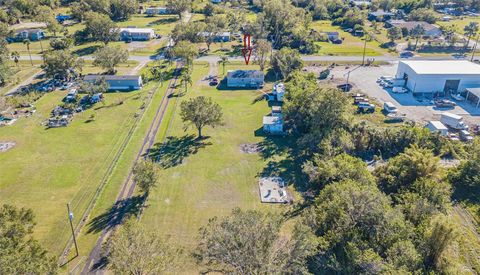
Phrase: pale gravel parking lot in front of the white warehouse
(420,110)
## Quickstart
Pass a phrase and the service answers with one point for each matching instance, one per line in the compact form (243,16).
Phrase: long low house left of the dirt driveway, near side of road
(118,82)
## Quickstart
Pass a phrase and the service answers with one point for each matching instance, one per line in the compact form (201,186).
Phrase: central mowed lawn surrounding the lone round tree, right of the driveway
(203,179)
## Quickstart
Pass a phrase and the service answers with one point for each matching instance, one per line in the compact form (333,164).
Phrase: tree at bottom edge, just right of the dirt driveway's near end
(136,250)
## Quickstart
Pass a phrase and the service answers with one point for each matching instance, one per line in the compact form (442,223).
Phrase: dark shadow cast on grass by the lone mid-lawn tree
(174,150)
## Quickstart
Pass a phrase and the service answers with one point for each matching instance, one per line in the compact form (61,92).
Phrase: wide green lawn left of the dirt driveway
(49,168)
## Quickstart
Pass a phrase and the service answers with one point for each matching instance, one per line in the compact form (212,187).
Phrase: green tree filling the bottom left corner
(20,253)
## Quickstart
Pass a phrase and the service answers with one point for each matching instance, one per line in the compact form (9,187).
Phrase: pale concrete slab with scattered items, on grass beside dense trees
(273,190)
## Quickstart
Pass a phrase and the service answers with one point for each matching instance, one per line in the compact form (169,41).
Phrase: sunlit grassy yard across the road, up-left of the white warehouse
(351,45)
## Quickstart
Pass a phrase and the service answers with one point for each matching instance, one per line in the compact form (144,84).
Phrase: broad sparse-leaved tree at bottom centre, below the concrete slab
(249,242)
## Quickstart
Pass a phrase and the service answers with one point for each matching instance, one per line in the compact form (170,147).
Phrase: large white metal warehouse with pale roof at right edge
(442,77)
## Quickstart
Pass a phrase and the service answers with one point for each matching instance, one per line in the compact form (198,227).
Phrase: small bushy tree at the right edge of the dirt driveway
(145,175)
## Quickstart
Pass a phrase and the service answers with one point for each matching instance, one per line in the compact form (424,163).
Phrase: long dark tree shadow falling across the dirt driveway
(116,214)
